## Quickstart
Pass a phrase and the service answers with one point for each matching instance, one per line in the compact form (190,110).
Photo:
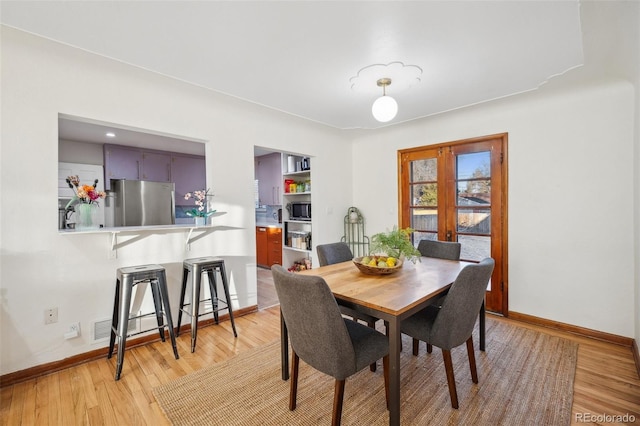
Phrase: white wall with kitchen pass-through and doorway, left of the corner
(40,268)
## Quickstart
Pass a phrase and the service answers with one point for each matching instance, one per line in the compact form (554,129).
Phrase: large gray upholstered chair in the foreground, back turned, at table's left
(322,338)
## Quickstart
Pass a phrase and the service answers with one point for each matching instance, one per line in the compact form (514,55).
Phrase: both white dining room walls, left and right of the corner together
(568,152)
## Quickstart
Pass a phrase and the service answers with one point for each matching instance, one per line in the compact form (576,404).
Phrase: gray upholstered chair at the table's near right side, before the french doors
(451,324)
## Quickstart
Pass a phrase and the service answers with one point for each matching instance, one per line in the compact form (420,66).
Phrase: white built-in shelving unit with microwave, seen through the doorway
(297,234)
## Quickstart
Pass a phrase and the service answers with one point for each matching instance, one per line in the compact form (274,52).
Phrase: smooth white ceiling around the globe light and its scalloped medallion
(301,57)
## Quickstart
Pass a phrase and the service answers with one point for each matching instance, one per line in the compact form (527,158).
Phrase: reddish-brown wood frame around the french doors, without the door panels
(503,137)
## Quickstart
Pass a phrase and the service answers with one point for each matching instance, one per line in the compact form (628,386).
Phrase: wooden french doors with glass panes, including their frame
(457,191)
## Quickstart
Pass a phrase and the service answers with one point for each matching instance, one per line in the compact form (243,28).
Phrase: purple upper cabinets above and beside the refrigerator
(186,171)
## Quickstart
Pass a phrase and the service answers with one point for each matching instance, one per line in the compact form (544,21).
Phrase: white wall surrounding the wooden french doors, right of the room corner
(571,196)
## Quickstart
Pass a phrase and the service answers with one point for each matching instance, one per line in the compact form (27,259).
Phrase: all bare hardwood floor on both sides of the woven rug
(606,381)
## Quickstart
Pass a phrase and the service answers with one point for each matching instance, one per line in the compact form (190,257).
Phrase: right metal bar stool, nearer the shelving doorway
(211,265)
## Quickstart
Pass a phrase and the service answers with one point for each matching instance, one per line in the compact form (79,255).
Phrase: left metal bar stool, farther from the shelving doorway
(126,279)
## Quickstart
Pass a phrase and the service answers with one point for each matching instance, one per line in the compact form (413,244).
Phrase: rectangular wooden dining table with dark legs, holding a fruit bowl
(391,298)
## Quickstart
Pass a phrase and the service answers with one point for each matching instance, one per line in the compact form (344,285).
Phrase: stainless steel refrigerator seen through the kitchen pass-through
(143,203)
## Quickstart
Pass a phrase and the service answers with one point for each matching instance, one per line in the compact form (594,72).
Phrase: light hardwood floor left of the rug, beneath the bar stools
(88,394)
